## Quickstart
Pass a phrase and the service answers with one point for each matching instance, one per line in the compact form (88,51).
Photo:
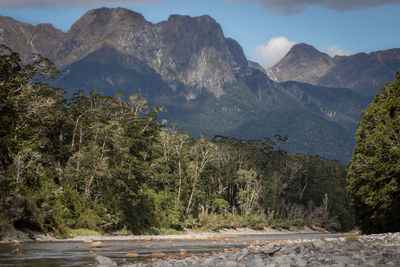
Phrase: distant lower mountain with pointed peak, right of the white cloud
(363,73)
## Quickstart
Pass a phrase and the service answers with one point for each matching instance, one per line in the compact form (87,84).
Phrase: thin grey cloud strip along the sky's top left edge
(15,4)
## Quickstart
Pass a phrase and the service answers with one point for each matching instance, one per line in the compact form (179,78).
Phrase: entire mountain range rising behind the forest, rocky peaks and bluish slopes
(204,80)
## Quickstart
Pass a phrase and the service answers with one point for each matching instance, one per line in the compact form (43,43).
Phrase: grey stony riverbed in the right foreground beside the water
(366,250)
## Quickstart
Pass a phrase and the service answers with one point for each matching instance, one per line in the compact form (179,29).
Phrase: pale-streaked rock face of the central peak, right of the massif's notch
(188,50)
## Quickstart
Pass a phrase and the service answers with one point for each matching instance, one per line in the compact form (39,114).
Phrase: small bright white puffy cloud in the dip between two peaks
(276,48)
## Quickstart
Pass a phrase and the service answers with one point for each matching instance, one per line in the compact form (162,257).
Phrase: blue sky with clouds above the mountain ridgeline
(337,26)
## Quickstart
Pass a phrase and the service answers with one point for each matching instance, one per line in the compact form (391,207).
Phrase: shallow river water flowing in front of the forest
(69,253)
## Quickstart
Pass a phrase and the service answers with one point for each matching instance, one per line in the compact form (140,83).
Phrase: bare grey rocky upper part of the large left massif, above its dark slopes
(182,50)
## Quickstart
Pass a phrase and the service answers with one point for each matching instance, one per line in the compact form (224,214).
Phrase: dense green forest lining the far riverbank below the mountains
(106,163)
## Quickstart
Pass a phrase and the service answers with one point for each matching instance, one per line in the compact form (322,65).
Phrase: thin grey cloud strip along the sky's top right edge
(293,7)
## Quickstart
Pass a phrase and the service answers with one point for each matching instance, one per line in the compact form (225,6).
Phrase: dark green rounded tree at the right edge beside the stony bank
(373,178)
